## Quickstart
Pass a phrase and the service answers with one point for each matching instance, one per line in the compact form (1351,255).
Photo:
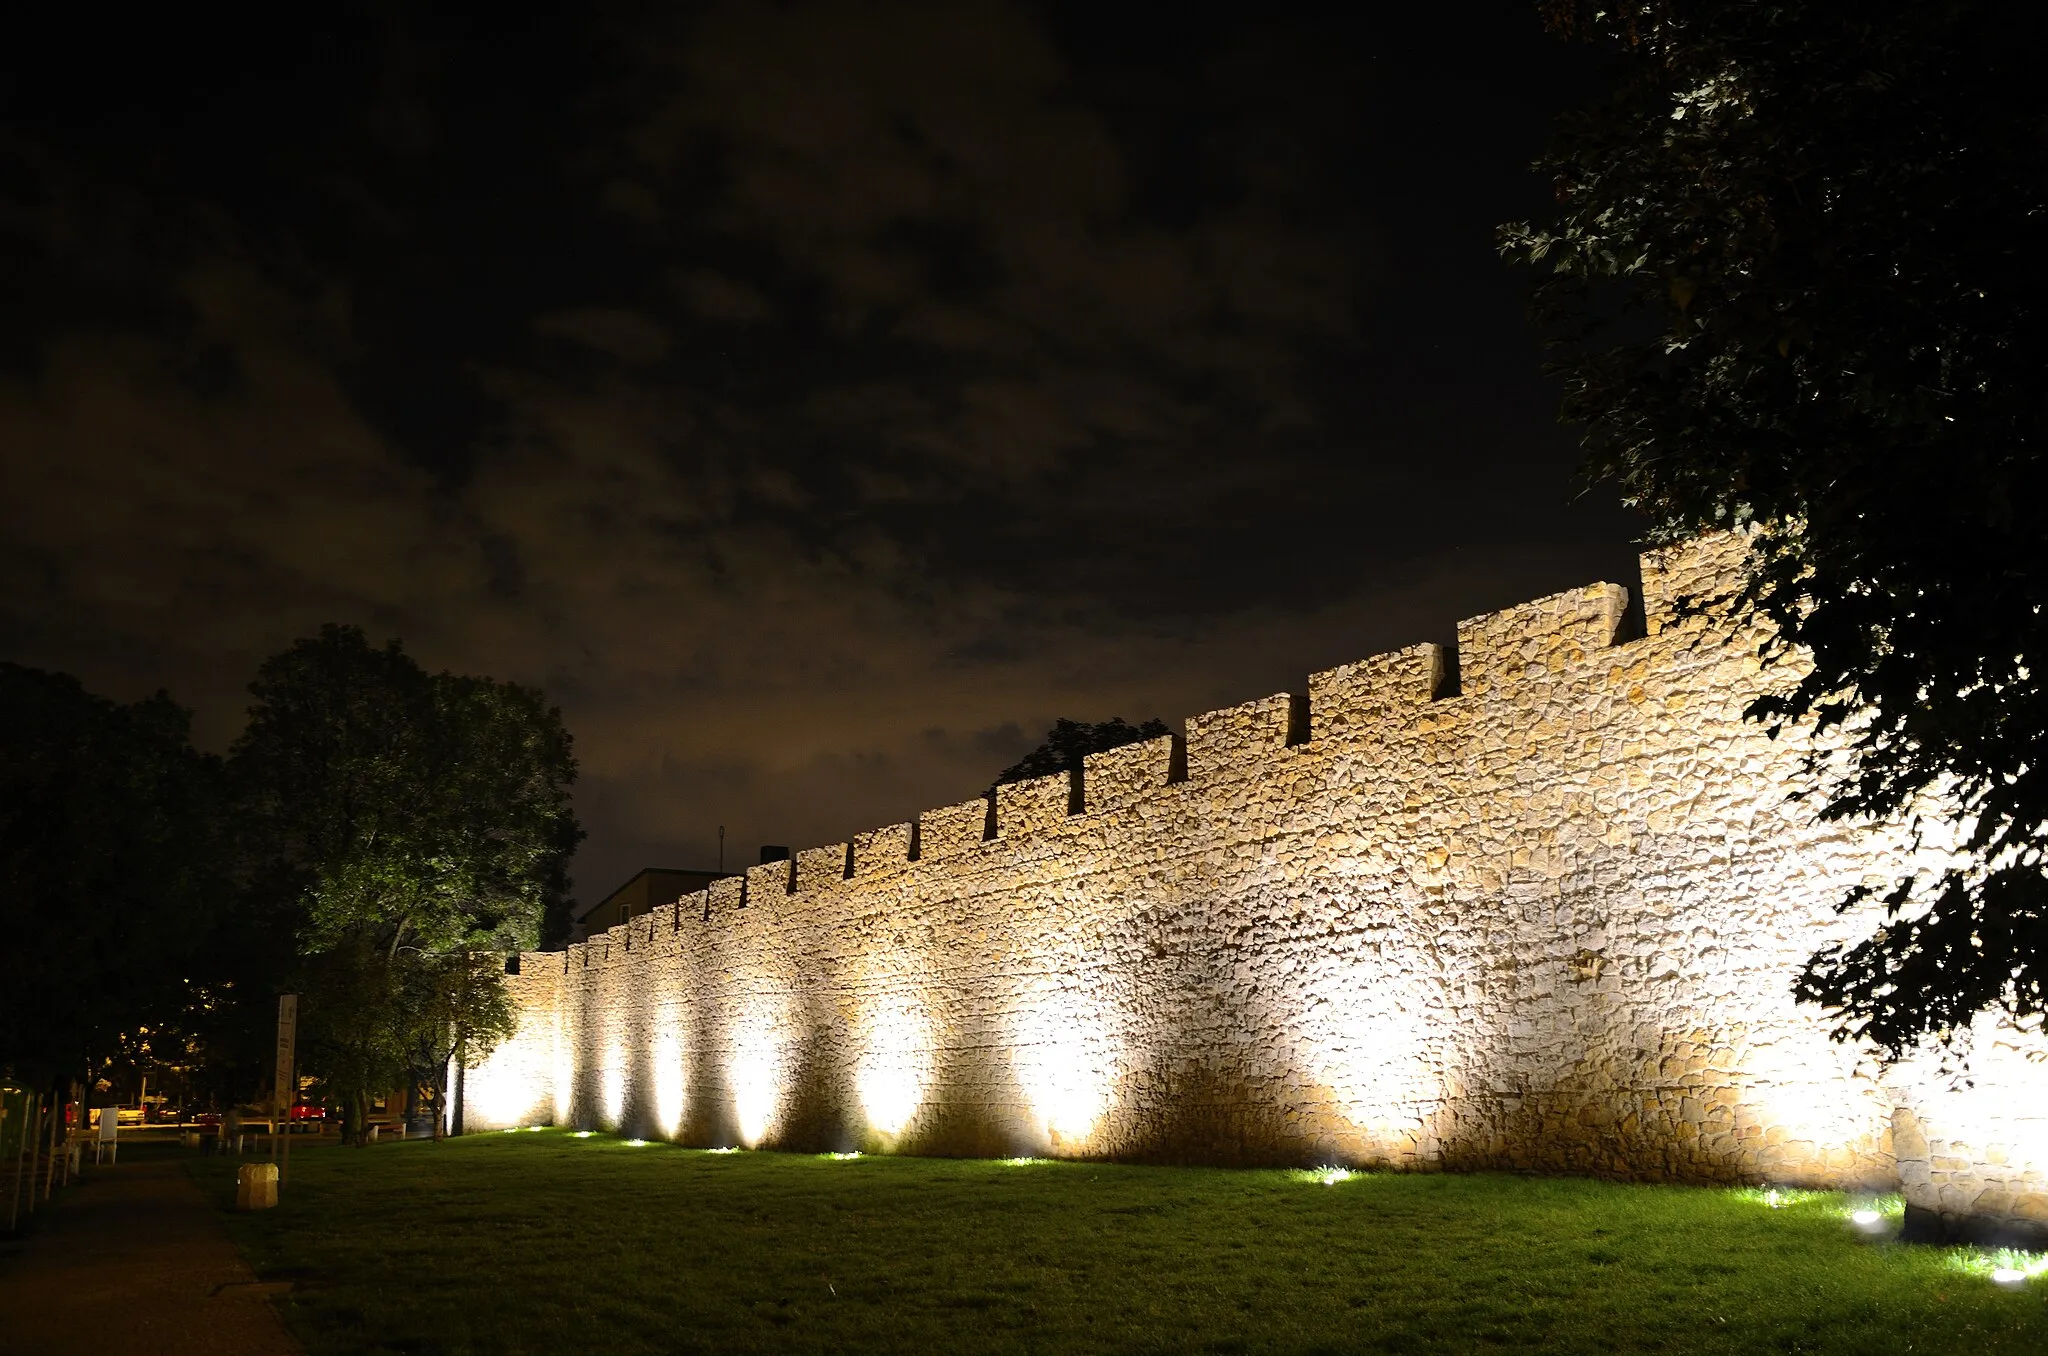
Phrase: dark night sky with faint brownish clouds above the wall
(816,400)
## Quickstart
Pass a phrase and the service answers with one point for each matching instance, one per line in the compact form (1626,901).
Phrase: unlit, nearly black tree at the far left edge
(112,870)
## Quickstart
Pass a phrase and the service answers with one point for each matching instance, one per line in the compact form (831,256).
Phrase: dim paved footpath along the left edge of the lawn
(134,1259)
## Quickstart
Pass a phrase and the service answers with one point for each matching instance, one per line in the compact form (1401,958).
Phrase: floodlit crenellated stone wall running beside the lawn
(1545,923)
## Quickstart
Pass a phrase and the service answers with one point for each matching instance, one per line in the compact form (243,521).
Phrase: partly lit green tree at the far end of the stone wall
(423,824)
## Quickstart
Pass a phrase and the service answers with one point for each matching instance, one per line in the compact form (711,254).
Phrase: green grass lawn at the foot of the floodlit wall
(544,1242)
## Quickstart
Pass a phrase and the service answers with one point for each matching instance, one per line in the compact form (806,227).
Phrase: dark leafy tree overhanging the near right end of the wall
(1797,282)
